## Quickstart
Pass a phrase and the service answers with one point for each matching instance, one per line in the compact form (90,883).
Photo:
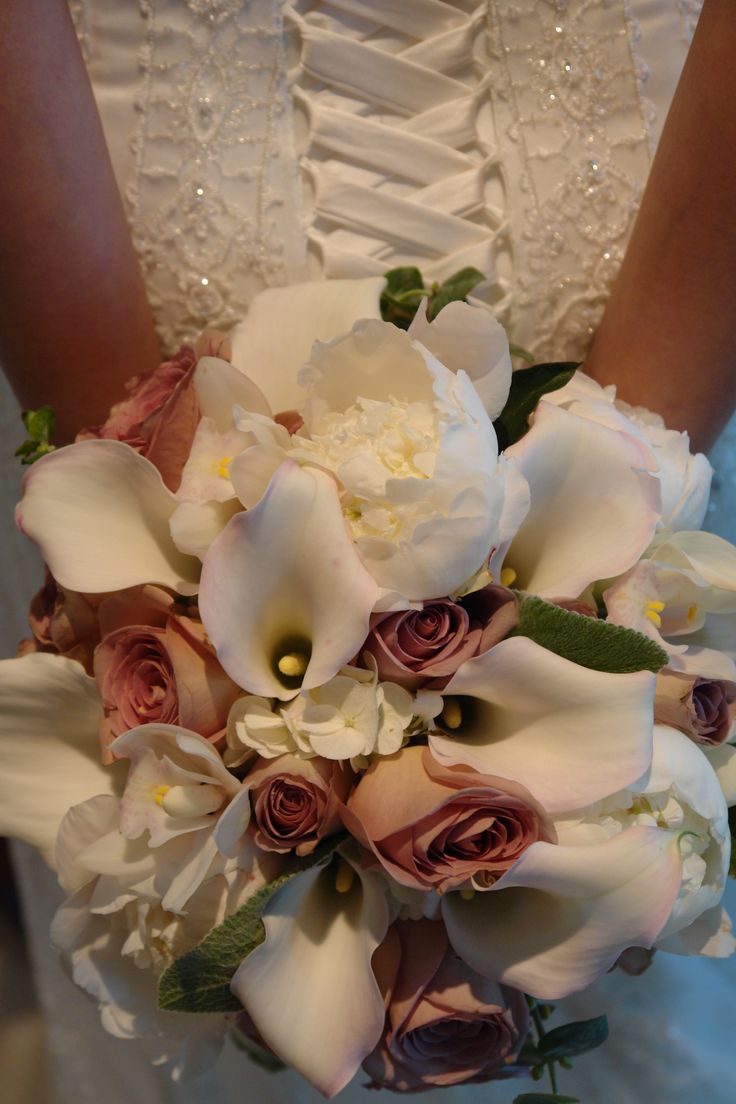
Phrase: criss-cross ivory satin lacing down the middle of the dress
(393,164)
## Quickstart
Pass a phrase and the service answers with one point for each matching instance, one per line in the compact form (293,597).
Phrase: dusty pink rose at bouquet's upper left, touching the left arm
(159,418)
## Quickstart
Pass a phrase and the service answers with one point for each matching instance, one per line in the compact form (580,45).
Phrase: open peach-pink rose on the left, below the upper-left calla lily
(163,671)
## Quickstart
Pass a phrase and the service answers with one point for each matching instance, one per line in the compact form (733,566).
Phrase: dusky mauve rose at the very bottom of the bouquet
(445,1024)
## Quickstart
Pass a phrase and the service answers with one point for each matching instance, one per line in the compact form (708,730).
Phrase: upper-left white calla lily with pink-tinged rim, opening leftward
(100,514)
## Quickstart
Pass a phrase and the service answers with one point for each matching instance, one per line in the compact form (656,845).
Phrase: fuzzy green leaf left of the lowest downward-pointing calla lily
(199,981)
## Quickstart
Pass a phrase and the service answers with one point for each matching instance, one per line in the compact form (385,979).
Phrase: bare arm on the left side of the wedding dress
(74,322)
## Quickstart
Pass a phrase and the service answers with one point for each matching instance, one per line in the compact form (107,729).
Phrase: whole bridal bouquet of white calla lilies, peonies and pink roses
(378,695)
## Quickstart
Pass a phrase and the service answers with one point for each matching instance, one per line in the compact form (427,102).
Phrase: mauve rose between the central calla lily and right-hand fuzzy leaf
(425,647)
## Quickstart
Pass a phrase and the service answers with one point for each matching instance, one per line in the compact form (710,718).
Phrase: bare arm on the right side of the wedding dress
(668,338)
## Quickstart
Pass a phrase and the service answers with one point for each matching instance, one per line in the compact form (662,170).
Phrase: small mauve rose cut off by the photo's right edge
(703,709)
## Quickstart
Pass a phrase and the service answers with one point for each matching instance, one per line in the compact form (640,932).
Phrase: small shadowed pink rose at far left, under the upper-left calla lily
(63,623)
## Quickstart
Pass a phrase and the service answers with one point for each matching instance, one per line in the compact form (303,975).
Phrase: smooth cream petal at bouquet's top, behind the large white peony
(278,335)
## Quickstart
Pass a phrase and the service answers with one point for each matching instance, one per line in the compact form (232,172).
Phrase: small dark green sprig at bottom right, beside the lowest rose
(557,1048)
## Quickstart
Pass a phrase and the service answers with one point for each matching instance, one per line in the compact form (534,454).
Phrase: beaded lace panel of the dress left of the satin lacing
(215,200)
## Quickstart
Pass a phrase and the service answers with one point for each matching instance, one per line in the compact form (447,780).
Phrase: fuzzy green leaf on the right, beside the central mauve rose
(585,641)
